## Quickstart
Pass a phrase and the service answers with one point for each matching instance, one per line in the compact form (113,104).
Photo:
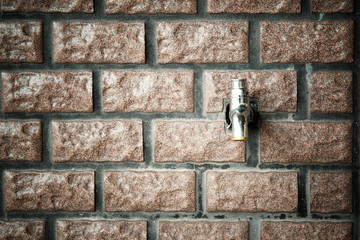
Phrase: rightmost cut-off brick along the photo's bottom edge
(306,230)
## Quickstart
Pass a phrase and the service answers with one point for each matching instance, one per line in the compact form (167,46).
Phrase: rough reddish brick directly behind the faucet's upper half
(276,91)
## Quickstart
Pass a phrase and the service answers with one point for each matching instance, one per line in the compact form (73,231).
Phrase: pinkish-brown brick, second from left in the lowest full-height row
(150,191)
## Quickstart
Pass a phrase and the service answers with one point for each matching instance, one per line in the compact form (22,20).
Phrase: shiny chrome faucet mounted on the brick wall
(240,112)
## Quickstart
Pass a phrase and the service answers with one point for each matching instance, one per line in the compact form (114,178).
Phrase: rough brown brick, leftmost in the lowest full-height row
(49,191)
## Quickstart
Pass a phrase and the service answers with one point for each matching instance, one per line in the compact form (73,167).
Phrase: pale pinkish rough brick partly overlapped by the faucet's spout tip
(195,141)
